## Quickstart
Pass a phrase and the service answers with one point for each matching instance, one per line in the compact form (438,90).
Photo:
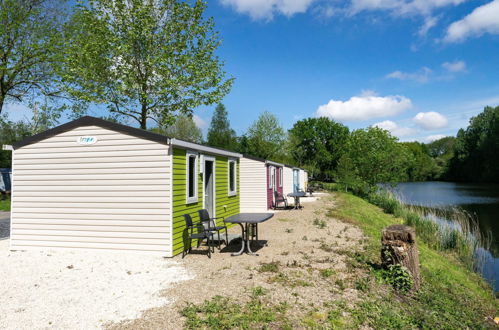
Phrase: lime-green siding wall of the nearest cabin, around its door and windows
(225,205)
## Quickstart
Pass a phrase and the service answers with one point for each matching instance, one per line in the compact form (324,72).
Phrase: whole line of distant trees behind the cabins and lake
(357,159)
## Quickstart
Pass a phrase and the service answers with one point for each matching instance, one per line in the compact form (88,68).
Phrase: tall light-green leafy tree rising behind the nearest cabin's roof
(144,59)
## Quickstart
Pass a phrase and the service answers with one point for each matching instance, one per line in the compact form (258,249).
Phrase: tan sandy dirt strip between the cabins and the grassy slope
(301,244)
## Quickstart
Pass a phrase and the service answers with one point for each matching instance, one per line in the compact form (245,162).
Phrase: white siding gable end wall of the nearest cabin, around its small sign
(114,194)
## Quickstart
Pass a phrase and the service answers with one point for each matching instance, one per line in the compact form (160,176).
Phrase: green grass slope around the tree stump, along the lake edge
(451,296)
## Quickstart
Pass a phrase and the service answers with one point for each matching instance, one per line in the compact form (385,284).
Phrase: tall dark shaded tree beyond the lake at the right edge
(477,149)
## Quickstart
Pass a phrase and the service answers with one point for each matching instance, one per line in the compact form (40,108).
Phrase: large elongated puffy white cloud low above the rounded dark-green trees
(365,106)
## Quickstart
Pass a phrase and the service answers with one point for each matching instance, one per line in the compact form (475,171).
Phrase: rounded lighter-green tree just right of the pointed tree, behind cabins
(266,138)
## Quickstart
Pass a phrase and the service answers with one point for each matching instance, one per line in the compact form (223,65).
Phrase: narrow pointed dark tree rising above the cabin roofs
(220,134)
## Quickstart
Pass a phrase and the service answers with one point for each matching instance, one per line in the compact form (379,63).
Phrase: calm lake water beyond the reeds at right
(481,200)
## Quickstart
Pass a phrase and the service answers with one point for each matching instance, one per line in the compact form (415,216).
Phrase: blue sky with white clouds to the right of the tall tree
(419,68)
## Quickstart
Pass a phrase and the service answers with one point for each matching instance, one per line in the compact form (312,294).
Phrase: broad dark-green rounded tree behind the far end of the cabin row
(318,143)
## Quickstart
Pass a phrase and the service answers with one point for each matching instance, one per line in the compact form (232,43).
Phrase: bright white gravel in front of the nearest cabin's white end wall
(80,289)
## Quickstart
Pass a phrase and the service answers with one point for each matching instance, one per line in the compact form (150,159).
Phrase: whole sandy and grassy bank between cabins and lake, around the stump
(321,270)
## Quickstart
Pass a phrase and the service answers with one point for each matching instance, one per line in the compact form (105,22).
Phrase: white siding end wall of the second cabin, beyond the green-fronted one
(253,185)
